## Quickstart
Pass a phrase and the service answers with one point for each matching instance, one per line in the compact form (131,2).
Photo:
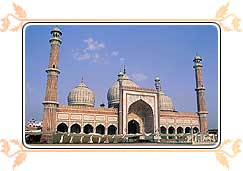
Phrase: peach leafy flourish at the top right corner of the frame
(222,17)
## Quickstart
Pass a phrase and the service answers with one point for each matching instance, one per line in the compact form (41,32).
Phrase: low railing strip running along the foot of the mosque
(94,138)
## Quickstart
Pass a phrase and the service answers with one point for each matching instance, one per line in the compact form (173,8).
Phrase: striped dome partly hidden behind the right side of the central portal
(165,102)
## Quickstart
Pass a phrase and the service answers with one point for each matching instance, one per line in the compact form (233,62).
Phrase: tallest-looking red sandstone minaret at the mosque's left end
(50,103)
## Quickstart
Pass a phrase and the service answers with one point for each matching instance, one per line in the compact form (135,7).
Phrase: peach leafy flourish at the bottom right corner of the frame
(223,156)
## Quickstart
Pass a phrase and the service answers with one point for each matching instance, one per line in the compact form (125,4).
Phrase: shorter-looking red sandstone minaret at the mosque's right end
(200,90)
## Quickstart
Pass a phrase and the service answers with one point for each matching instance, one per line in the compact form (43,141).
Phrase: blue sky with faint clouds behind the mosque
(98,52)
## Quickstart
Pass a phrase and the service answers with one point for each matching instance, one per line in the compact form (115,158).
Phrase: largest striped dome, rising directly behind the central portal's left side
(113,92)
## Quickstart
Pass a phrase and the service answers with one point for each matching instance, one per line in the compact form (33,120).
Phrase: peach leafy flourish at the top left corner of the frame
(20,16)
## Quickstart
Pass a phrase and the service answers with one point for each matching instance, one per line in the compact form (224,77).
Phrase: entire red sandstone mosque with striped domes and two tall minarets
(131,108)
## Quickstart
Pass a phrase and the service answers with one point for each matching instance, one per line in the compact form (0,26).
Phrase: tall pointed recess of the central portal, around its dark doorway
(141,112)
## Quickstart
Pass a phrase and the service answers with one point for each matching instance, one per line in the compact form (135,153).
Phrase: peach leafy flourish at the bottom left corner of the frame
(19,154)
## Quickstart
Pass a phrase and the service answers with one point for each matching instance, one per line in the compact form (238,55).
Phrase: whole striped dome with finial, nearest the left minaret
(81,95)
